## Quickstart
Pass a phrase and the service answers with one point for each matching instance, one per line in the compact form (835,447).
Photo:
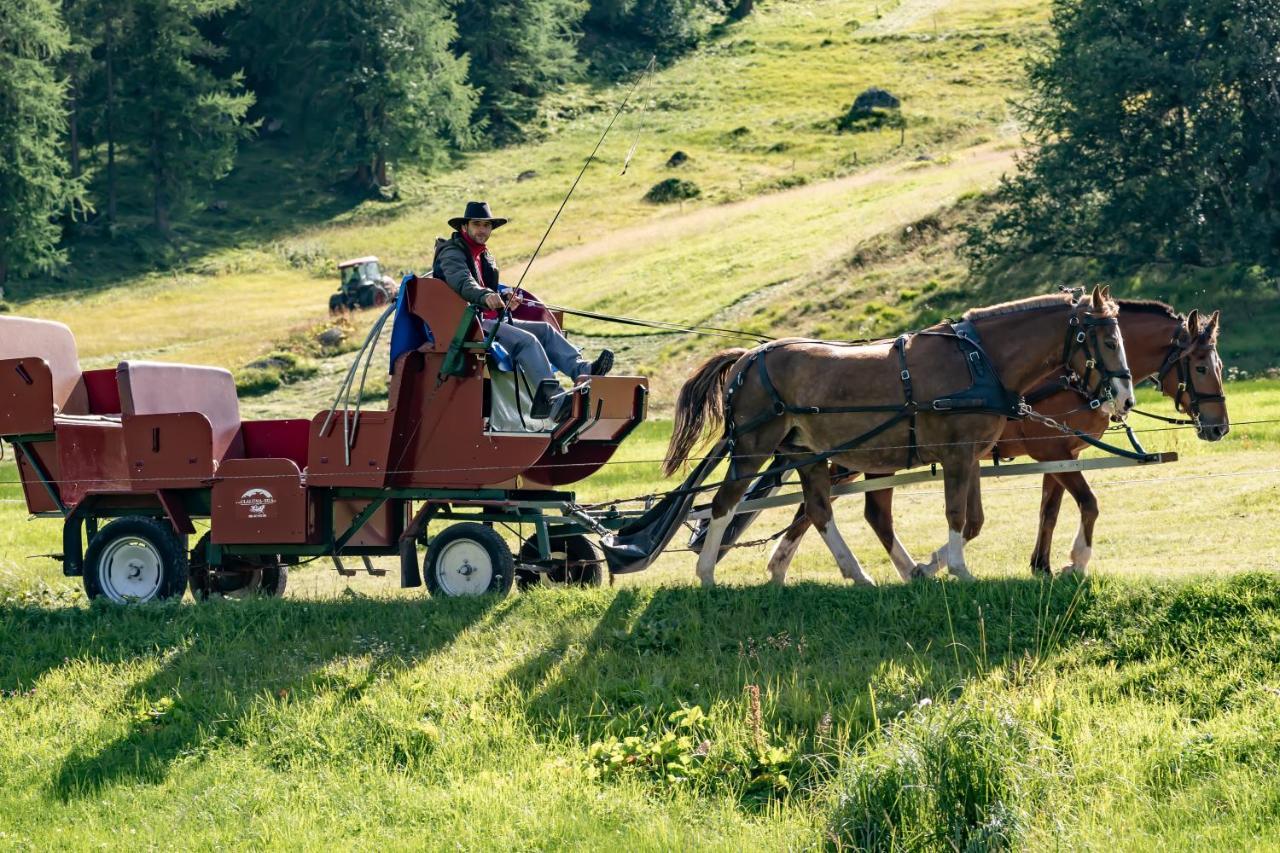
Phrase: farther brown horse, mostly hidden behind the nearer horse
(1181,354)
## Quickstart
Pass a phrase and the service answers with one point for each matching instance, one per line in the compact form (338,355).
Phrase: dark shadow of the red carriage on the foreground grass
(216,663)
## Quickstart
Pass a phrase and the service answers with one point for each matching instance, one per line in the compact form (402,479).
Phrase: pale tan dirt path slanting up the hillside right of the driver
(680,226)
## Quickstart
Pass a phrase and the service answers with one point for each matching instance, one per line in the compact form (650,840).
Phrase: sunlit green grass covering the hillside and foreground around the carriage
(354,713)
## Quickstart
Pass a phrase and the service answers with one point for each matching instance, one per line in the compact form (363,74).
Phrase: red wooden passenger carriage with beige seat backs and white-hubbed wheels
(131,458)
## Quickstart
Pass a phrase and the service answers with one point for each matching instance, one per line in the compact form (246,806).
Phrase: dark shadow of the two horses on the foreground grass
(812,649)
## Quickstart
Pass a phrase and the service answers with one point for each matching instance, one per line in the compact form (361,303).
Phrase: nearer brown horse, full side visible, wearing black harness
(888,407)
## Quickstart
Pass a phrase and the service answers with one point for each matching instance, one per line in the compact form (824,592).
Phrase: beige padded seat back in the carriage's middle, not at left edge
(158,389)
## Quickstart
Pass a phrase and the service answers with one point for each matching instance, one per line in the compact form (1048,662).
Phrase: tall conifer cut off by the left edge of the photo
(35,188)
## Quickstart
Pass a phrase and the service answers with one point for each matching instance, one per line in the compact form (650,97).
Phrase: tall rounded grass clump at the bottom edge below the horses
(944,778)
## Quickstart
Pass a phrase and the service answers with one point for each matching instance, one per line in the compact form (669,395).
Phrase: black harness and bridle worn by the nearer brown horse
(985,395)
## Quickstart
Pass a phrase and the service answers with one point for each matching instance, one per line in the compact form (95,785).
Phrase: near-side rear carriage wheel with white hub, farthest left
(136,560)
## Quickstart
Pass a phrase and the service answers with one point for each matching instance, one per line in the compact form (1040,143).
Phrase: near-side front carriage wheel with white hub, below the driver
(469,560)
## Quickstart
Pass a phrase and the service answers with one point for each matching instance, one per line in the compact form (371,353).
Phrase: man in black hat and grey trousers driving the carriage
(465,263)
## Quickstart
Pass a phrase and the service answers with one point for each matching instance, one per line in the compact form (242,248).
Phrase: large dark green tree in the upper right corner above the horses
(1156,131)
